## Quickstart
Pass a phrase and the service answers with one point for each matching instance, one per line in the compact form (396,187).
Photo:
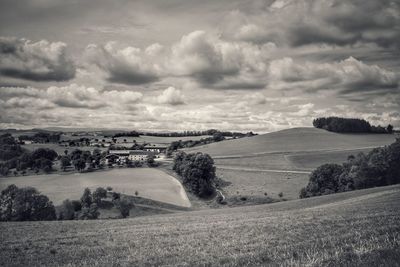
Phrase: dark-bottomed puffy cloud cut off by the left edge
(36,61)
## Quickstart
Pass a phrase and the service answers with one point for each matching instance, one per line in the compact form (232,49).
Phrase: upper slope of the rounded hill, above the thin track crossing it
(293,140)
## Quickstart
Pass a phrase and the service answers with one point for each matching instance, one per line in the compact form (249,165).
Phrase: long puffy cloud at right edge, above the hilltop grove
(349,75)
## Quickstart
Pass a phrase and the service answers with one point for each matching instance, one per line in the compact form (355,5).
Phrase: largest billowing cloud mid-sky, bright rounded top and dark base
(217,63)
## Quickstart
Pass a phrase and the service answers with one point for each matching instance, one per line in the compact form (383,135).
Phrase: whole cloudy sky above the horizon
(175,65)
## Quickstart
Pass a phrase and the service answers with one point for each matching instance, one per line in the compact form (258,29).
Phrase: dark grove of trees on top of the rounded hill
(349,125)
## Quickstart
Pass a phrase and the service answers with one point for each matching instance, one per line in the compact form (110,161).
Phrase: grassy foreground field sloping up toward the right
(358,228)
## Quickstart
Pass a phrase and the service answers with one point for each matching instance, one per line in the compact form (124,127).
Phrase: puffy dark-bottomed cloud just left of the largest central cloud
(129,65)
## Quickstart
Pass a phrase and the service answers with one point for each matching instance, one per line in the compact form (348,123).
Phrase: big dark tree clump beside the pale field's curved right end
(197,171)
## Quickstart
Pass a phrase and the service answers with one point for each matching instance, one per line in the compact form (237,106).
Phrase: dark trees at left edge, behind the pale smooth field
(14,156)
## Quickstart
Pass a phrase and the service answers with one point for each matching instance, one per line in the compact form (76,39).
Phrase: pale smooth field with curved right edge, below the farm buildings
(150,183)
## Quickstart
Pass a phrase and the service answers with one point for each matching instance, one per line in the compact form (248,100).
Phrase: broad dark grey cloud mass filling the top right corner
(304,22)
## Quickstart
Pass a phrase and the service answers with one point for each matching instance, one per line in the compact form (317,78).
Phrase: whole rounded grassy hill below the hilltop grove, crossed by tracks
(279,161)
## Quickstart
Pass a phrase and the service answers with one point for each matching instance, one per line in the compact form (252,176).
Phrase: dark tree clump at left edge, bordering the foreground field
(25,204)
